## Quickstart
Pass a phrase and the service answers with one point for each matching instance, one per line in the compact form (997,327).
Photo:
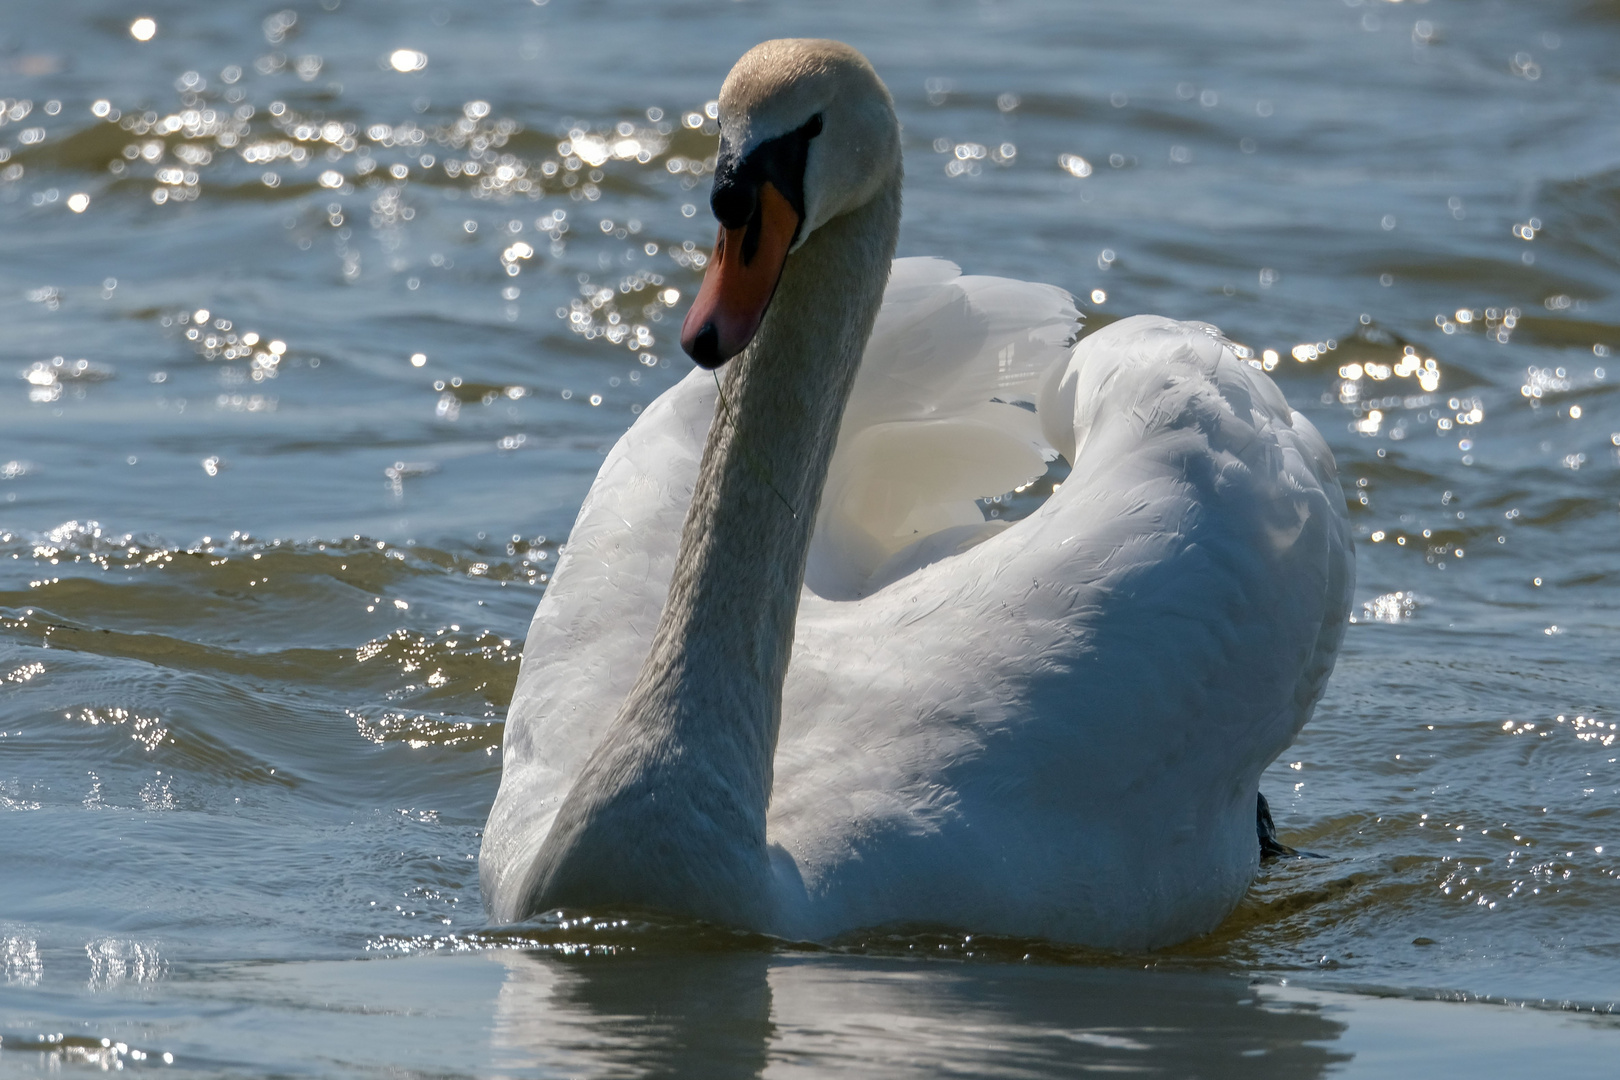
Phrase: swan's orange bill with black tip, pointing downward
(741,281)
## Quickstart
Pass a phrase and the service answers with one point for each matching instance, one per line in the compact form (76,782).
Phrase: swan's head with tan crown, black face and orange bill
(808,132)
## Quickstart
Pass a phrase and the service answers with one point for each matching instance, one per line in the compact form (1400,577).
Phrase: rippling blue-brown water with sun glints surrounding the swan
(262,606)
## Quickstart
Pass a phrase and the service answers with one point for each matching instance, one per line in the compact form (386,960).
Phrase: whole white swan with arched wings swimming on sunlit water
(790,678)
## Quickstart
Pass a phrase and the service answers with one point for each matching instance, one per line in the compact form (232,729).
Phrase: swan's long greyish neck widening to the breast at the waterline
(670,810)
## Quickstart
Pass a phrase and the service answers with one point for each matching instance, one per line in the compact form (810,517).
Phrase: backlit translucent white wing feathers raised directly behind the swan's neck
(942,414)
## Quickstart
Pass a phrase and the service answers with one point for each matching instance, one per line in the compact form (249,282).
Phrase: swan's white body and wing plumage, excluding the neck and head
(1052,728)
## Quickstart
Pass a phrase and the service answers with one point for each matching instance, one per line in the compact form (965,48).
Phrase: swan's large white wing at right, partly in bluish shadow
(1064,726)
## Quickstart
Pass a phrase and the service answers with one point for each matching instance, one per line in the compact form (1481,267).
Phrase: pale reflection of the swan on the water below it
(731,1014)
